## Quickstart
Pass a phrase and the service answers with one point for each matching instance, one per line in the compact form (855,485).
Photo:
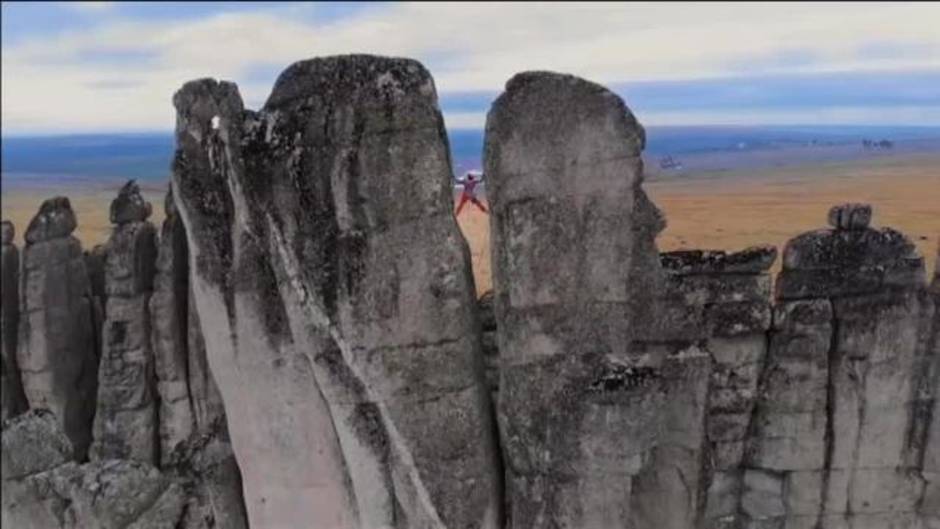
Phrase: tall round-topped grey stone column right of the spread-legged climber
(581,407)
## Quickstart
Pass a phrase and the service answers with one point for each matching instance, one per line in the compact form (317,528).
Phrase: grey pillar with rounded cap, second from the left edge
(56,346)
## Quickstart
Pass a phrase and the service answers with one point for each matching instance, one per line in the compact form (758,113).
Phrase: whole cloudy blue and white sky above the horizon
(83,67)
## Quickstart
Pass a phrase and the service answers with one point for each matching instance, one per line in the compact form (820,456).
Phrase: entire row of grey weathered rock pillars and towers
(300,346)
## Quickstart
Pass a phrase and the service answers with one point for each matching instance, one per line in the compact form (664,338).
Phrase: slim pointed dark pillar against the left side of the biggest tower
(193,428)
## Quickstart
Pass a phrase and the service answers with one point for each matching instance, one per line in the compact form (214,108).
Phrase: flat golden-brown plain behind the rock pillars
(708,210)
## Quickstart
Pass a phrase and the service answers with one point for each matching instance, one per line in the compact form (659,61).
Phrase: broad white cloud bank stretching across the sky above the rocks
(468,46)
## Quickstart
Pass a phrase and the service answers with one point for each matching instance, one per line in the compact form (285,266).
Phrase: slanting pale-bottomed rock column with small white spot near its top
(282,433)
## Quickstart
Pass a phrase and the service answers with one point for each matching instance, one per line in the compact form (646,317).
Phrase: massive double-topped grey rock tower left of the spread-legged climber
(335,297)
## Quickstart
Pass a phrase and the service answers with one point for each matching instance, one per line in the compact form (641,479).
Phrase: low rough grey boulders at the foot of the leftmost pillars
(44,489)
